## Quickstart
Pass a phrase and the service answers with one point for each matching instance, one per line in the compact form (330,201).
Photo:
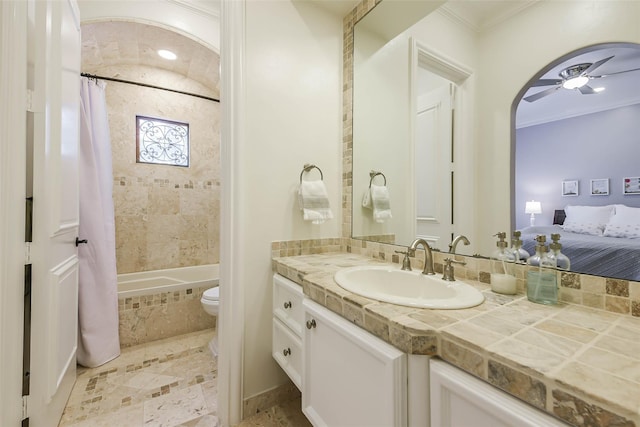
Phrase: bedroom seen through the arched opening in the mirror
(576,153)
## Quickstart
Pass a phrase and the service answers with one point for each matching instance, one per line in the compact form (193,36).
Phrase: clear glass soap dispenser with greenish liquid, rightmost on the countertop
(542,285)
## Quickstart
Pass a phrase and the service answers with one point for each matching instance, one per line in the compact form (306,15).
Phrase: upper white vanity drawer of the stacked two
(287,303)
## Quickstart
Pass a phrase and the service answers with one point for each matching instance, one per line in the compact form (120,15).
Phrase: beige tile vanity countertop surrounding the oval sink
(582,365)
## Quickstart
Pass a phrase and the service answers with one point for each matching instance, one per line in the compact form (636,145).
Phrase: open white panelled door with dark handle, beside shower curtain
(53,133)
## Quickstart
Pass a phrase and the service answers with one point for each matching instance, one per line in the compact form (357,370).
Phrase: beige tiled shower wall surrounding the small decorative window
(166,216)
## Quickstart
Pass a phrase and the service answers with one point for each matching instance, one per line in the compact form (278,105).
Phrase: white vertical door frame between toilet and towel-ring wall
(231,319)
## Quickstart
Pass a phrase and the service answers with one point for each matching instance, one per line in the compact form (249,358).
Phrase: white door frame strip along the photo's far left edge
(13,39)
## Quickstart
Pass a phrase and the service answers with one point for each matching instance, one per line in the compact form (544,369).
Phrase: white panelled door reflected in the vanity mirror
(433,157)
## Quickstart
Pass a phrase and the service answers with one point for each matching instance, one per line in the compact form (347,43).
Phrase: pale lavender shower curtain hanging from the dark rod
(98,339)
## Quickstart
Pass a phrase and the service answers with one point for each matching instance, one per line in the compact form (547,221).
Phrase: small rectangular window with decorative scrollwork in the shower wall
(162,142)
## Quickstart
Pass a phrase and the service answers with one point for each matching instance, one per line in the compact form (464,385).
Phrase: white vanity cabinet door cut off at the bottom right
(459,399)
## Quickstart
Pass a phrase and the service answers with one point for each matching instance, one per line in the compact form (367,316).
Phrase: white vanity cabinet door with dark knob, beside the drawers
(351,378)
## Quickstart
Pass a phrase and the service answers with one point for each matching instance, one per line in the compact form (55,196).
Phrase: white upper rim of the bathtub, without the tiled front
(168,280)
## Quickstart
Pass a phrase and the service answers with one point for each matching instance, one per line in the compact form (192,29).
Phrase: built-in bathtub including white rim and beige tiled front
(154,305)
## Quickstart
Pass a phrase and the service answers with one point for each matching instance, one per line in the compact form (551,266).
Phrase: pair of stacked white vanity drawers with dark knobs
(288,318)
